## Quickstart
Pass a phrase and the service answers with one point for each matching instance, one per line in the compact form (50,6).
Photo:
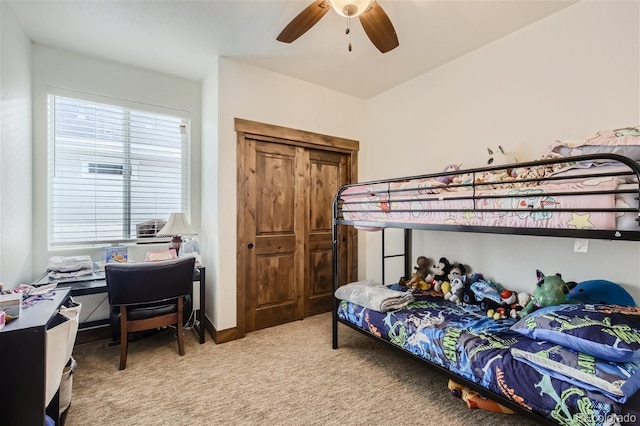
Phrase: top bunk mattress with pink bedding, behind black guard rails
(603,196)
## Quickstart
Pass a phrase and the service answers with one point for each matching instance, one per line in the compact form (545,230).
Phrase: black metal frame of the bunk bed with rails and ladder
(339,220)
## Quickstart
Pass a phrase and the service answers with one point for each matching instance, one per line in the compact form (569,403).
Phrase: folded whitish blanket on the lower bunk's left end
(373,295)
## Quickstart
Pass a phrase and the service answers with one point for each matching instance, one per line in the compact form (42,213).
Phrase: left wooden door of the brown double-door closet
(274,277)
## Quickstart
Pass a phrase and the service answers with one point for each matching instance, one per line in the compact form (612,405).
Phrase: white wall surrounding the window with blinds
(59,68)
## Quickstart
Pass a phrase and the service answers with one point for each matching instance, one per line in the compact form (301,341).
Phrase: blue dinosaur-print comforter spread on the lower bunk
(465,341)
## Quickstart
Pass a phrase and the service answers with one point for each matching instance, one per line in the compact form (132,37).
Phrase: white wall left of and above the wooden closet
(252,93)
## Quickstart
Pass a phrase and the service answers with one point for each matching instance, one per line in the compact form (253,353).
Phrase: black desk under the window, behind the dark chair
(97,284)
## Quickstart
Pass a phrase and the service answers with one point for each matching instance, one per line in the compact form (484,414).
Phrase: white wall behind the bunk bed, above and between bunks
(564,77)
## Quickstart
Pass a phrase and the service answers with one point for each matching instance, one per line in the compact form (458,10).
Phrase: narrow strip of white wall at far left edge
(15,151)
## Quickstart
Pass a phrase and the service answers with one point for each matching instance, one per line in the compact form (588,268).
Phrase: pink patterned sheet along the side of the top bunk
(567,205)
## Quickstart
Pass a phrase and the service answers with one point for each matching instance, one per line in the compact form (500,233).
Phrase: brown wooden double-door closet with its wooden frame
(287,179)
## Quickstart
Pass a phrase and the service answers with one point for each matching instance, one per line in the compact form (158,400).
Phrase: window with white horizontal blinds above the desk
(113,164)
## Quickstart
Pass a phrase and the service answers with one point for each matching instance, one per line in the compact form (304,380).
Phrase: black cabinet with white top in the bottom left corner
(23,363)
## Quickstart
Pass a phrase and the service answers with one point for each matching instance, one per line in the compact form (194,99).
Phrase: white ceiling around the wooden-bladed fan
(182,37)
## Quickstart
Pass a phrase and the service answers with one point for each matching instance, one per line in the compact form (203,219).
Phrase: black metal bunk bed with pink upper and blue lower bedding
(591,195)
